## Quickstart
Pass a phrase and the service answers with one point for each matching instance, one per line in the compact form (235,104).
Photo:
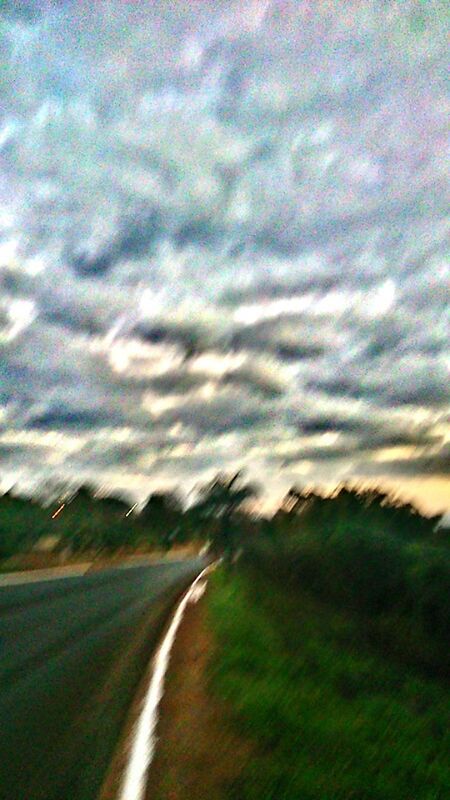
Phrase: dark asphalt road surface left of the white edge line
(72,652)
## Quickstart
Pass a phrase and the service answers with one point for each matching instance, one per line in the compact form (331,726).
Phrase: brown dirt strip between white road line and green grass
(198,756)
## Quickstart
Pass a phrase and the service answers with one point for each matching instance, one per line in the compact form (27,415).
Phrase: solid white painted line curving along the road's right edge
(143,744)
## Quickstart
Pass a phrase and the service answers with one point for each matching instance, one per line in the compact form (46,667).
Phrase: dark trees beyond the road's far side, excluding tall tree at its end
(81,523)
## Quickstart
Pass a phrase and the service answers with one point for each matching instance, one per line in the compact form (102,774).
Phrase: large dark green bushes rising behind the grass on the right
(398,585)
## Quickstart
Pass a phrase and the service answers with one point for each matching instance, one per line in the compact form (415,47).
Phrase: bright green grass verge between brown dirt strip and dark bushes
(330,717)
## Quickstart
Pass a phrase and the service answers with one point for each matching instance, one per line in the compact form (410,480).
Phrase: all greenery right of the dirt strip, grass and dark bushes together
(332,652)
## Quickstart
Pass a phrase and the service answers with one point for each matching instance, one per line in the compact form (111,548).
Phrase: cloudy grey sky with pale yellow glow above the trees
(224,244)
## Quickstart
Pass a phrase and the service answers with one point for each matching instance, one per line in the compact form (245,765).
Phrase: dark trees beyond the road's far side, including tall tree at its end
(83,522)
